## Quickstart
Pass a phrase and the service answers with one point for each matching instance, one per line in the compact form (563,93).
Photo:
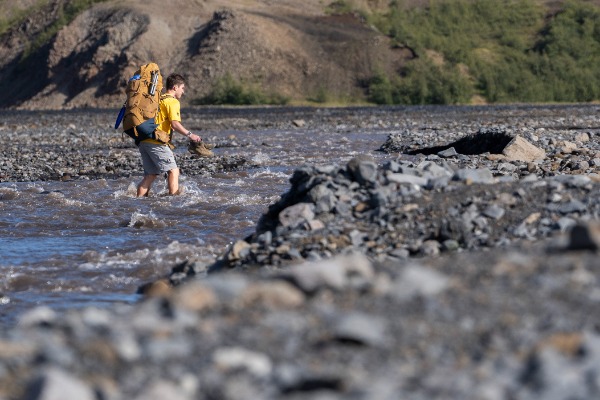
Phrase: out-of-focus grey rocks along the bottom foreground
(504,323)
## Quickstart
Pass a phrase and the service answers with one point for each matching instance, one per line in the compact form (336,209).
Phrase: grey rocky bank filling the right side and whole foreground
(432,276)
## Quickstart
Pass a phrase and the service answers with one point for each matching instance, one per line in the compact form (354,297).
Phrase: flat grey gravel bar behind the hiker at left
(40,148)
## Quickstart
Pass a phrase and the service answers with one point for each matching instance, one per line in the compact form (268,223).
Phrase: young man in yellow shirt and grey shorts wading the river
(157,157)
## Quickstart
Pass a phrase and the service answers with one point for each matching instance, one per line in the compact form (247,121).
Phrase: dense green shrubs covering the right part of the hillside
(500,50)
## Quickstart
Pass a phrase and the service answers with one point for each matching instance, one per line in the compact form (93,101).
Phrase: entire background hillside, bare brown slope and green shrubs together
(80,53)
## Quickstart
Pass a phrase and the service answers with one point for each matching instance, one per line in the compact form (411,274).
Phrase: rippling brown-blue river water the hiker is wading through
(92,243)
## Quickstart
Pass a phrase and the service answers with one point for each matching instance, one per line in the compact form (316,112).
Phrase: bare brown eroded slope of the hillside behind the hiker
(297,51)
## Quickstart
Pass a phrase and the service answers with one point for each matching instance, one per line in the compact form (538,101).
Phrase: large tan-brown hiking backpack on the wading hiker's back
(141,106)
